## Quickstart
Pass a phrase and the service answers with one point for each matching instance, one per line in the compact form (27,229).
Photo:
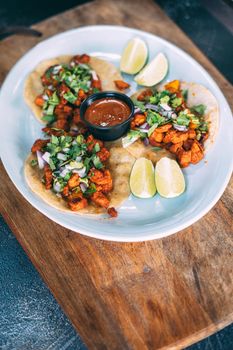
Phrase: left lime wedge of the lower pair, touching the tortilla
(142,179)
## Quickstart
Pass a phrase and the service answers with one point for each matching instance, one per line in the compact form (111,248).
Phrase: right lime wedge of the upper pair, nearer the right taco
(154,72)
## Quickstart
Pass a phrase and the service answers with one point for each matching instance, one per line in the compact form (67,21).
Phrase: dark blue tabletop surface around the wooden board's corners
(30,318)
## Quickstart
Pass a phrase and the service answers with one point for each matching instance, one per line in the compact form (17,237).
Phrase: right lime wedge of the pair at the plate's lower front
(169,178)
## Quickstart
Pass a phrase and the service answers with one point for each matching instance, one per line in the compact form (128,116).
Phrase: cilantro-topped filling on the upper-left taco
(65,86)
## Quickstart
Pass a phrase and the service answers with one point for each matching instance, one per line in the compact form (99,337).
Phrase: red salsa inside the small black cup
(107,112)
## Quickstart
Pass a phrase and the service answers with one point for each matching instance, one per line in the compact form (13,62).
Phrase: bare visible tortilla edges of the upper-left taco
(33,87)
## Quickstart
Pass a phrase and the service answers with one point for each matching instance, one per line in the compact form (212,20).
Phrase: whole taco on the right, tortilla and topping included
(178,120)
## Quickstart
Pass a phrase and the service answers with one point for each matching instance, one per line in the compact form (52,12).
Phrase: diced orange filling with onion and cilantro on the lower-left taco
(74,169)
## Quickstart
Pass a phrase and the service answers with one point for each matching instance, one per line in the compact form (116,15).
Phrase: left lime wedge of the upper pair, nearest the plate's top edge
(134,56)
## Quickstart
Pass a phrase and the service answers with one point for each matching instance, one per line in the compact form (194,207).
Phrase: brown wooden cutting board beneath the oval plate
(163,294)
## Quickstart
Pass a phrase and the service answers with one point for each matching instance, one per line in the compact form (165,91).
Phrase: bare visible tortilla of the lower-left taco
(120,165)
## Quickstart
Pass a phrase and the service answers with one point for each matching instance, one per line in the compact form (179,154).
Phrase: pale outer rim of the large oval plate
(149,235)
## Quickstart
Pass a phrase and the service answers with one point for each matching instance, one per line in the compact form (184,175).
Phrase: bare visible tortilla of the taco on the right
(197,94)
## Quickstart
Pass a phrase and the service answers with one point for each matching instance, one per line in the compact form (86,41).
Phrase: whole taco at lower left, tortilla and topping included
(78,174)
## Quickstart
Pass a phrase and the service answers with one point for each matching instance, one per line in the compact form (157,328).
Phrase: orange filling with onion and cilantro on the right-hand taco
(163,120)
